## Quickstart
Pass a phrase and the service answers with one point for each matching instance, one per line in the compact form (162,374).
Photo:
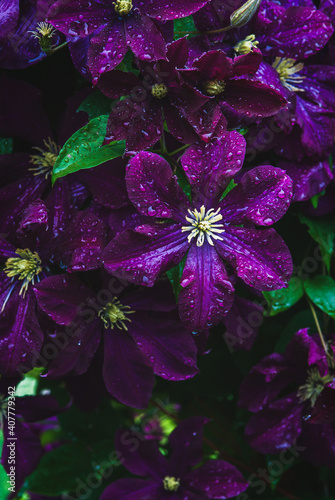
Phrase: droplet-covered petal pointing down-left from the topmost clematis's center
(107,49)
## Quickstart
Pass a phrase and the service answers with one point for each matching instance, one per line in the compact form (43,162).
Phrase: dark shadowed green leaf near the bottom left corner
(64,468)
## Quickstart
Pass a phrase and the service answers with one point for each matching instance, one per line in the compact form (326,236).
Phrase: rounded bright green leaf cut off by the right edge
(321,291)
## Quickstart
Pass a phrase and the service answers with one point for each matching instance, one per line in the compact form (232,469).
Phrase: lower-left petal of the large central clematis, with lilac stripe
(140,257)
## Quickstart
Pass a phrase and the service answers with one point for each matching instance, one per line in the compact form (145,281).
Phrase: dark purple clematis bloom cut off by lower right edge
(306,414)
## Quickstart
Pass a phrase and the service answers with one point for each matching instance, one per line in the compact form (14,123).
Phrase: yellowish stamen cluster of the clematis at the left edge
(26,268)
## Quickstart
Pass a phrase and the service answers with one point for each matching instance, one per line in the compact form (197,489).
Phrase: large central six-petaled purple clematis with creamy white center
(209,232)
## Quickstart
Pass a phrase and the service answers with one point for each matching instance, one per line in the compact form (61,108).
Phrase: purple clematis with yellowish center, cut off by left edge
(51,233)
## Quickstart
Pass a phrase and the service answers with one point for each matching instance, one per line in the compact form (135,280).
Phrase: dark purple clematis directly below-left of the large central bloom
(138,331)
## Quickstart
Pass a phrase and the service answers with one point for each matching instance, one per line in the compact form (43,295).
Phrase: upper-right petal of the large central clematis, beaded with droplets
(263,197)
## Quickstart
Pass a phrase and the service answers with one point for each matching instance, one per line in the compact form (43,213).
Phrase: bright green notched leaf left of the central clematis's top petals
(84,149)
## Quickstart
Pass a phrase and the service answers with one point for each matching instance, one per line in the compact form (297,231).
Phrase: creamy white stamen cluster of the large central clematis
(203,224)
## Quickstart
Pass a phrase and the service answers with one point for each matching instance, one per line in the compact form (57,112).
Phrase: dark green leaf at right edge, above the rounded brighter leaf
(323,232)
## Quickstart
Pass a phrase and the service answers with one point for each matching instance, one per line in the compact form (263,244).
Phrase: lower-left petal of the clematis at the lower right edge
(276,427)
